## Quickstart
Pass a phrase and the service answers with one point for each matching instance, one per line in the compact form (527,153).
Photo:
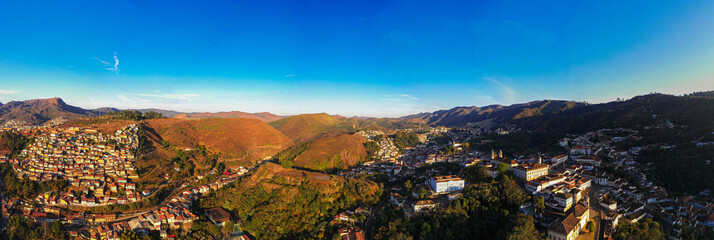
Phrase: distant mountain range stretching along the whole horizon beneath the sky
(545,114)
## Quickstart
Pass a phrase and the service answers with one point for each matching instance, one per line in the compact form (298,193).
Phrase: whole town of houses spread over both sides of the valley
(582,191)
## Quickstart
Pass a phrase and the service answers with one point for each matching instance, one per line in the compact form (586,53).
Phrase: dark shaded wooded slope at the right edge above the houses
(683,169)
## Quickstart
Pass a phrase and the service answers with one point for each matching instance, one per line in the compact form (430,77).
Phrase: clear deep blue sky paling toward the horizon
(366,58)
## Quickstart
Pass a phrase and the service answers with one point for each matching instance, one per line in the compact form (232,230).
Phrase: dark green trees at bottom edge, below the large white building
(483,212)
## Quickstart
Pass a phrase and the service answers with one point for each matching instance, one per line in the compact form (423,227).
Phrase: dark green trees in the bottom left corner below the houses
(20,227)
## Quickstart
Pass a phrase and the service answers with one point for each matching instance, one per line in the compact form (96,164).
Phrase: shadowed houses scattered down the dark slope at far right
(634,198)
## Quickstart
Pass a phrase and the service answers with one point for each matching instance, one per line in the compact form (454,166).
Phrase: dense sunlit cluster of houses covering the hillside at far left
(87,159)
